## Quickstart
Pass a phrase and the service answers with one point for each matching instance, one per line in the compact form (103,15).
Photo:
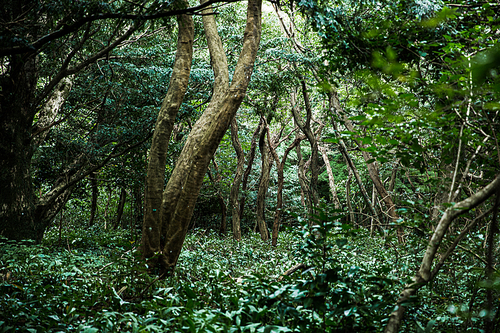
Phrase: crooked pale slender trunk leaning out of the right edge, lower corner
(425,275)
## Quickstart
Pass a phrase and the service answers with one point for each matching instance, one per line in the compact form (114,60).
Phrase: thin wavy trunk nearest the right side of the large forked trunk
(234,204)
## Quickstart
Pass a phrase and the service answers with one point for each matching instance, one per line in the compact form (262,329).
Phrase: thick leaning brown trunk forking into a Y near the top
(184,185)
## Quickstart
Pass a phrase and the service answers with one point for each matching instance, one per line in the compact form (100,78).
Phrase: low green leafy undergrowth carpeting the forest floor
(93,281)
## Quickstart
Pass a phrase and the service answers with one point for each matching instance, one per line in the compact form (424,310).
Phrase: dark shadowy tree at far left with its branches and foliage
(35,59)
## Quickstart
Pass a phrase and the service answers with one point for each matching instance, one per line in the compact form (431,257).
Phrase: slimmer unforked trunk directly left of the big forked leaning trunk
(155,178)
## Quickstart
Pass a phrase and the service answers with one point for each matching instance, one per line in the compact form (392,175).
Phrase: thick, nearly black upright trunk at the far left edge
(17,113)
